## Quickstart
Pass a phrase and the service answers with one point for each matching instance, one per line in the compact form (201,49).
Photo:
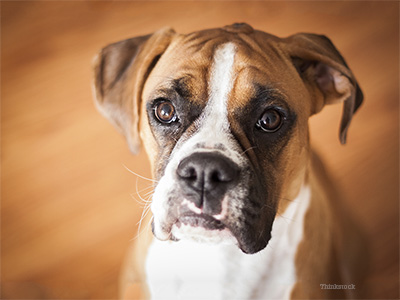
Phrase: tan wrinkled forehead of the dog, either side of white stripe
(190,59)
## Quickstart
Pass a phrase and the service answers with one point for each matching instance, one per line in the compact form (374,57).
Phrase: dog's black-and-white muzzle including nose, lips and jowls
(209,197)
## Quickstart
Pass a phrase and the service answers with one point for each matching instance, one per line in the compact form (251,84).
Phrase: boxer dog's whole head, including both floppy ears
(223,115)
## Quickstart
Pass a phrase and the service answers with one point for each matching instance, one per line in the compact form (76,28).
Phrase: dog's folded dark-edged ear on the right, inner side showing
(321,65)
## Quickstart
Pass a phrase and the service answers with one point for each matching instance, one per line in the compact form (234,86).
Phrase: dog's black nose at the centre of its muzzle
(205,177)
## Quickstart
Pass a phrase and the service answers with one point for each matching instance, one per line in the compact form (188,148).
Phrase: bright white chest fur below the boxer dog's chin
(190,270)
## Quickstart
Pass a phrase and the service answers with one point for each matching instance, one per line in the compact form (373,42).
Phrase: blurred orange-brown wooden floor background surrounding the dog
(68,208)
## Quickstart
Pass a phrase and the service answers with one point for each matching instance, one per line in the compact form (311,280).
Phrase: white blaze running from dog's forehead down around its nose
(213,132)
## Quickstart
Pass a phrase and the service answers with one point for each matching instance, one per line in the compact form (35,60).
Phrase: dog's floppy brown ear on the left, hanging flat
(120,71)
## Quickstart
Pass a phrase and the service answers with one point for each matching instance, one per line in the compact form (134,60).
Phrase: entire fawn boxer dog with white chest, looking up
(242,208)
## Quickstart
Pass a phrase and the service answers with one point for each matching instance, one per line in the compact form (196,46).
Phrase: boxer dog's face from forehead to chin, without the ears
(226,138)
